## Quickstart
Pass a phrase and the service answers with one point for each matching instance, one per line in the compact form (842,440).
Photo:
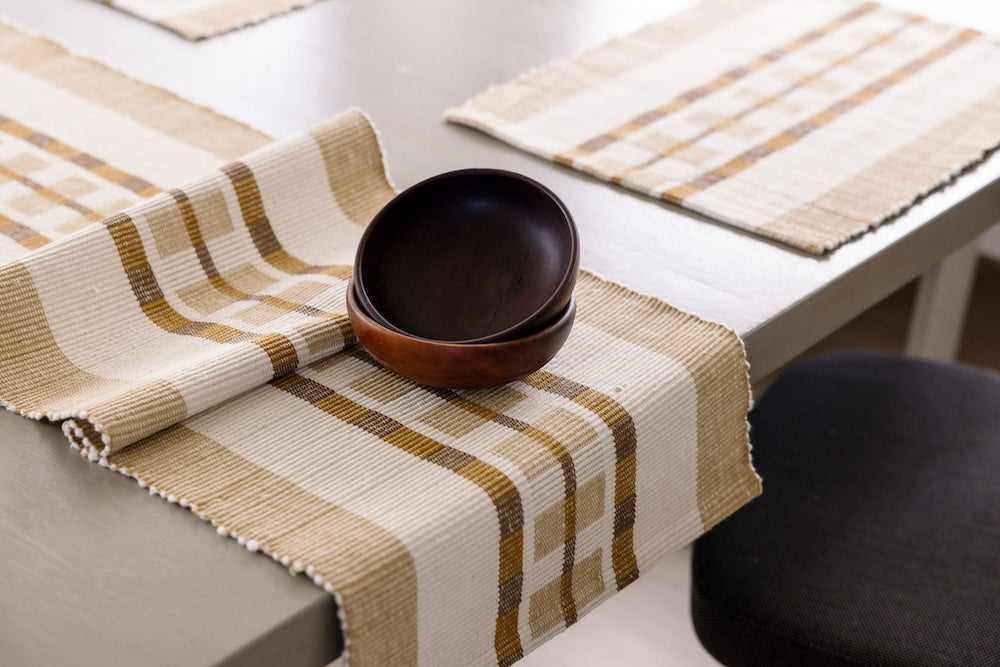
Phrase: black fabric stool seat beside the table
(877,538)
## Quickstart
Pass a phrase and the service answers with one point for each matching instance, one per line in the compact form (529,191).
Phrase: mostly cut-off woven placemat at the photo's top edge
(198,19)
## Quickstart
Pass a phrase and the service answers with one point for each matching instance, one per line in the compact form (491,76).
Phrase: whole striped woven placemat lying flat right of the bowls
(804,122)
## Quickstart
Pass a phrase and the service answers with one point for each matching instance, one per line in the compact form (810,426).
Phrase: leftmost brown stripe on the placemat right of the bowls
(723,81)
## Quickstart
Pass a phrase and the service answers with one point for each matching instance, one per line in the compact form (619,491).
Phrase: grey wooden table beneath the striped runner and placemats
(87,562)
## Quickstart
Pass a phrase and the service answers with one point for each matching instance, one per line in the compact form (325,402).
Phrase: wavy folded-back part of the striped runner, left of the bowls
(194,296)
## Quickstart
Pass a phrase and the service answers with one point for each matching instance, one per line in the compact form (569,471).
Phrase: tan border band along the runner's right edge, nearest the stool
(714,357)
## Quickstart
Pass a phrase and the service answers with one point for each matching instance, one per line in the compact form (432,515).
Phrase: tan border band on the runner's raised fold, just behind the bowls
(353,159)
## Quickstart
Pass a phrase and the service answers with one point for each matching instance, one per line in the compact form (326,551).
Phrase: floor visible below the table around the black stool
(647,624)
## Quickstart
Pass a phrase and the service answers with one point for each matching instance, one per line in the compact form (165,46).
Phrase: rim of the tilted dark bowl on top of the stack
(569,275)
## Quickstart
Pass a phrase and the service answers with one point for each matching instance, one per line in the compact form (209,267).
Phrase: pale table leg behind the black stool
(939,310)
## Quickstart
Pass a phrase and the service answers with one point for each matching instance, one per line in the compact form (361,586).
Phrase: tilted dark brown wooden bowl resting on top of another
(469,256)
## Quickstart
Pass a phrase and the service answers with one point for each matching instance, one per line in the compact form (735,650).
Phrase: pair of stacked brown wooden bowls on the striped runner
(466,280)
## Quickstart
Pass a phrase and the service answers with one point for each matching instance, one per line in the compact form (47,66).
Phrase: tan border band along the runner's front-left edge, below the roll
(250,501)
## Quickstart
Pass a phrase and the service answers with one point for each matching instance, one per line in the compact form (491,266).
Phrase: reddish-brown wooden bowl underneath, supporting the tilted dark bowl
(459,365)
